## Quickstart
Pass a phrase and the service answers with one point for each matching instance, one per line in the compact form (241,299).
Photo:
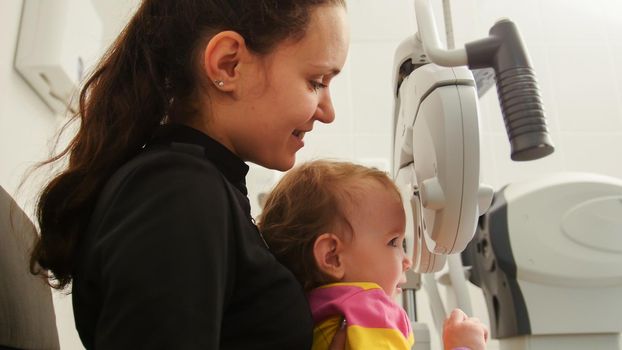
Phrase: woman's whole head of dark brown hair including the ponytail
(147,77)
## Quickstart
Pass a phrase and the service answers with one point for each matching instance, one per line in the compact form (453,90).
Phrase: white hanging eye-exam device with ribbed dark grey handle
(436,143)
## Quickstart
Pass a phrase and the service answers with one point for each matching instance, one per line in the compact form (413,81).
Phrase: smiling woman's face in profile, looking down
(283,93)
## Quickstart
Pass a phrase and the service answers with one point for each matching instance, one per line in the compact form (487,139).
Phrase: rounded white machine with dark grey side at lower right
(548,257)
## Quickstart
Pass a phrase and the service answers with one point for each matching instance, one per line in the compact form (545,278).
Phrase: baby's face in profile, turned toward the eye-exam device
(375,253)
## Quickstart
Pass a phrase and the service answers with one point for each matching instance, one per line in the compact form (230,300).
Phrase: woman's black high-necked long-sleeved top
(172,259)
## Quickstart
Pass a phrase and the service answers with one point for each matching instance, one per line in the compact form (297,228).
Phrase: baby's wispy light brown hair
(312,199)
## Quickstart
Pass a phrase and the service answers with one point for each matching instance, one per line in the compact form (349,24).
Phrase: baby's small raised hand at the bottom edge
(461,330)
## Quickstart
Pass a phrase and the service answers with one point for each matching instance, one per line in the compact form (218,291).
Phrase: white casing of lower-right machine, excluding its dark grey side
(555,271)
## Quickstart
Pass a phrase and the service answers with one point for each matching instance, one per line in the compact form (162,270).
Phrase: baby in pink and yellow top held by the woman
(339,227)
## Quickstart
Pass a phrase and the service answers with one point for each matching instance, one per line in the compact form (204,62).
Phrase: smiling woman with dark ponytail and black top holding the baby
(150,222)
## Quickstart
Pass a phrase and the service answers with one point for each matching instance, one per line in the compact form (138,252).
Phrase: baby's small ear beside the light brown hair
(327,250)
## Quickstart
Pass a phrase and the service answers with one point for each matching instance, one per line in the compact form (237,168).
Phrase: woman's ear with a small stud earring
(221,59)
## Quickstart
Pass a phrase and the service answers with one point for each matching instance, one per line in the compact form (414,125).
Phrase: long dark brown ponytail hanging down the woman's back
(120,106)
